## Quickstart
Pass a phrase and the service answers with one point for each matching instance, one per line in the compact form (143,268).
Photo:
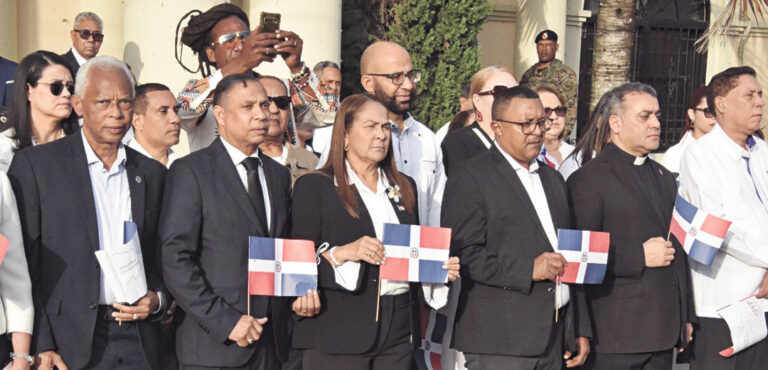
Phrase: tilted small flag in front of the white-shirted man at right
(700,233)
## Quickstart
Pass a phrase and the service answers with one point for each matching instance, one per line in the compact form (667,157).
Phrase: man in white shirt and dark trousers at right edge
(725,173)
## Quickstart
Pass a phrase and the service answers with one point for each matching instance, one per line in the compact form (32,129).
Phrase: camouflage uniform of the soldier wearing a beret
(562,78)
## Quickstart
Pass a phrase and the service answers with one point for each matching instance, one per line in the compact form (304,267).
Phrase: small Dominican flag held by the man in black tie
(281,267)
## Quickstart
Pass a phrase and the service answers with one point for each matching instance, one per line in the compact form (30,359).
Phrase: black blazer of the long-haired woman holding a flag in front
(346,323)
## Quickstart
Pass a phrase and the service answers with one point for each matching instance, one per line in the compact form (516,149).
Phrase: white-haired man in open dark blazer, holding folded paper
(74,196)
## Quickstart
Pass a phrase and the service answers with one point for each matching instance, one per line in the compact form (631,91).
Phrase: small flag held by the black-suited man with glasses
(586,253)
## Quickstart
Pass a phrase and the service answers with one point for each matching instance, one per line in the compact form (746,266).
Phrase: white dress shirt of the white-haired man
(112,201)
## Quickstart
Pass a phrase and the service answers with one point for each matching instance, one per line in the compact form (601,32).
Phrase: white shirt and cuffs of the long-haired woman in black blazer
(380,209)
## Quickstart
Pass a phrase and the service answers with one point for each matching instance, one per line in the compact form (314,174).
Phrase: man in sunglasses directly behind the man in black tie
(278,143)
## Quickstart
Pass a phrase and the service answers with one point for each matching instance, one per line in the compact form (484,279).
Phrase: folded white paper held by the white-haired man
(123,267)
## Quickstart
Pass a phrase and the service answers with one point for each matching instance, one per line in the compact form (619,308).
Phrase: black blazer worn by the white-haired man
(58,220)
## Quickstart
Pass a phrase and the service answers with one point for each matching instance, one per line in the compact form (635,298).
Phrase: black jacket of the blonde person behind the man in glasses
(461,145)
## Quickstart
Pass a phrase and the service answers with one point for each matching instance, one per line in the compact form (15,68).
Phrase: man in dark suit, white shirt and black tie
(215,199)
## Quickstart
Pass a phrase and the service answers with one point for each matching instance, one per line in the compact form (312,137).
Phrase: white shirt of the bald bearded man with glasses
(418,155)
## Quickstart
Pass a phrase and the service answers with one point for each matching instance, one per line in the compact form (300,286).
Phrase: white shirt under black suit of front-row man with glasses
(532,184)
